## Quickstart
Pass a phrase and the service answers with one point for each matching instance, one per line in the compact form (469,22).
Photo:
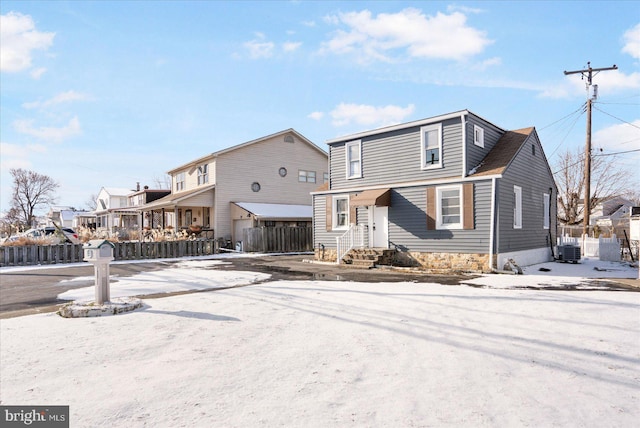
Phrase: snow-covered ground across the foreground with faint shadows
(335,354)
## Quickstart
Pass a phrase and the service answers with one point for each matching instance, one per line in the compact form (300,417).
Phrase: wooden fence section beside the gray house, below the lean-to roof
(277,239)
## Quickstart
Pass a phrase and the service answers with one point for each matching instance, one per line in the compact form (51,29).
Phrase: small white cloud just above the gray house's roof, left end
(345,114)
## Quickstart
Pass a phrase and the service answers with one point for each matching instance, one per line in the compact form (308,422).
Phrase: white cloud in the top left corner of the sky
(19,37)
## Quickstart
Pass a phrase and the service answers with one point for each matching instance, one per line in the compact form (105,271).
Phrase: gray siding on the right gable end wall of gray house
(532,174)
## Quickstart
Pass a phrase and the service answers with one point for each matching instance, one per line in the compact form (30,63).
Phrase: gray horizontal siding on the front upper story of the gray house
(394,157)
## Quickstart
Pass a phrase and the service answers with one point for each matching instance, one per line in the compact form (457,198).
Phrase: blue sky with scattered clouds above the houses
(112,93)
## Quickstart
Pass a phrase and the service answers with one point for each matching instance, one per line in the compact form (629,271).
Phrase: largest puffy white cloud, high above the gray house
(376,38)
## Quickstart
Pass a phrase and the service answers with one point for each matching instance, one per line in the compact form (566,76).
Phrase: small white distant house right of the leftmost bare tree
(112,211)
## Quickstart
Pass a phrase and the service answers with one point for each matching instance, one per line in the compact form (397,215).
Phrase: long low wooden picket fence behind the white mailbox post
(27,255)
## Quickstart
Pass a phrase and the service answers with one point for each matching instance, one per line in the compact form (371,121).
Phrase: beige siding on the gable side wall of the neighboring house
(237,169)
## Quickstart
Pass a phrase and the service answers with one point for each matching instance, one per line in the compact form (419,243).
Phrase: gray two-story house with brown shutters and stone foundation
(449,193)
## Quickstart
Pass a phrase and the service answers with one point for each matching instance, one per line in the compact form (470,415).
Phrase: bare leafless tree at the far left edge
(30,192)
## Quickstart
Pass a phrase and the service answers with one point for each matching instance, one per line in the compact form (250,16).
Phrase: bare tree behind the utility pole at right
(608,180)
